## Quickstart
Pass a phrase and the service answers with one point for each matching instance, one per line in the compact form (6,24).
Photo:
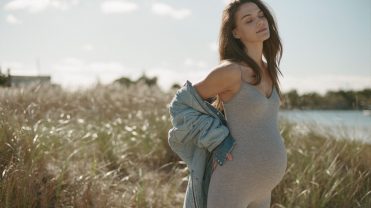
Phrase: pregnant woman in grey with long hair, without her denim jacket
(245,85)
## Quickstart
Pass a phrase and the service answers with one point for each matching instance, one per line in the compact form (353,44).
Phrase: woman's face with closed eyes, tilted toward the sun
(250,20)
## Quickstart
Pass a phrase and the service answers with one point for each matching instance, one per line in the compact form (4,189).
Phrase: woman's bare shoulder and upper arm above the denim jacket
(222,78)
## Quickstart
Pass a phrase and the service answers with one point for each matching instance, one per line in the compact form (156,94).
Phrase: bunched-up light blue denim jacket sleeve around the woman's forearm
(190,125)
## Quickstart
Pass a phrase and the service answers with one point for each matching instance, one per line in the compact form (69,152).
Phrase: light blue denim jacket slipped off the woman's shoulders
(199,135)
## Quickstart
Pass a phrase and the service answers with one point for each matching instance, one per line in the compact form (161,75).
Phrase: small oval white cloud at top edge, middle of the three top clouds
(118,7)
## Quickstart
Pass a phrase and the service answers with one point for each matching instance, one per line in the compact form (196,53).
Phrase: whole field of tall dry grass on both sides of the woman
(107,147)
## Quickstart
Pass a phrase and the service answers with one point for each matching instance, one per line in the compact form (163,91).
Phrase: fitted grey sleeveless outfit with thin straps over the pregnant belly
(259,156)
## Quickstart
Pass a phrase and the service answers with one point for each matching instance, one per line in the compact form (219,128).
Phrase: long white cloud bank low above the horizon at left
(73,73)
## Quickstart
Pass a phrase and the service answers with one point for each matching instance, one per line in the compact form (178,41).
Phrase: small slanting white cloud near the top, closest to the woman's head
(166,10)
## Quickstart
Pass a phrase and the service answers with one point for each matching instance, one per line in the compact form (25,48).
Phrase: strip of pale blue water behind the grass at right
(337,123)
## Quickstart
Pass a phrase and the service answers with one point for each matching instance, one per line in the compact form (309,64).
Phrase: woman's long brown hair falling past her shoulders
(232,49)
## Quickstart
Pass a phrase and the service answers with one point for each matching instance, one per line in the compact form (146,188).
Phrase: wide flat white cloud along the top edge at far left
(35,6)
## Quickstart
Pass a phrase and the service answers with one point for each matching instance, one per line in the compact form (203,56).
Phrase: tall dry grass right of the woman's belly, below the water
(323,172)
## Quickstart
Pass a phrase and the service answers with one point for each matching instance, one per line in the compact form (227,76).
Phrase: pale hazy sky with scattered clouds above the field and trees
(326,44)
